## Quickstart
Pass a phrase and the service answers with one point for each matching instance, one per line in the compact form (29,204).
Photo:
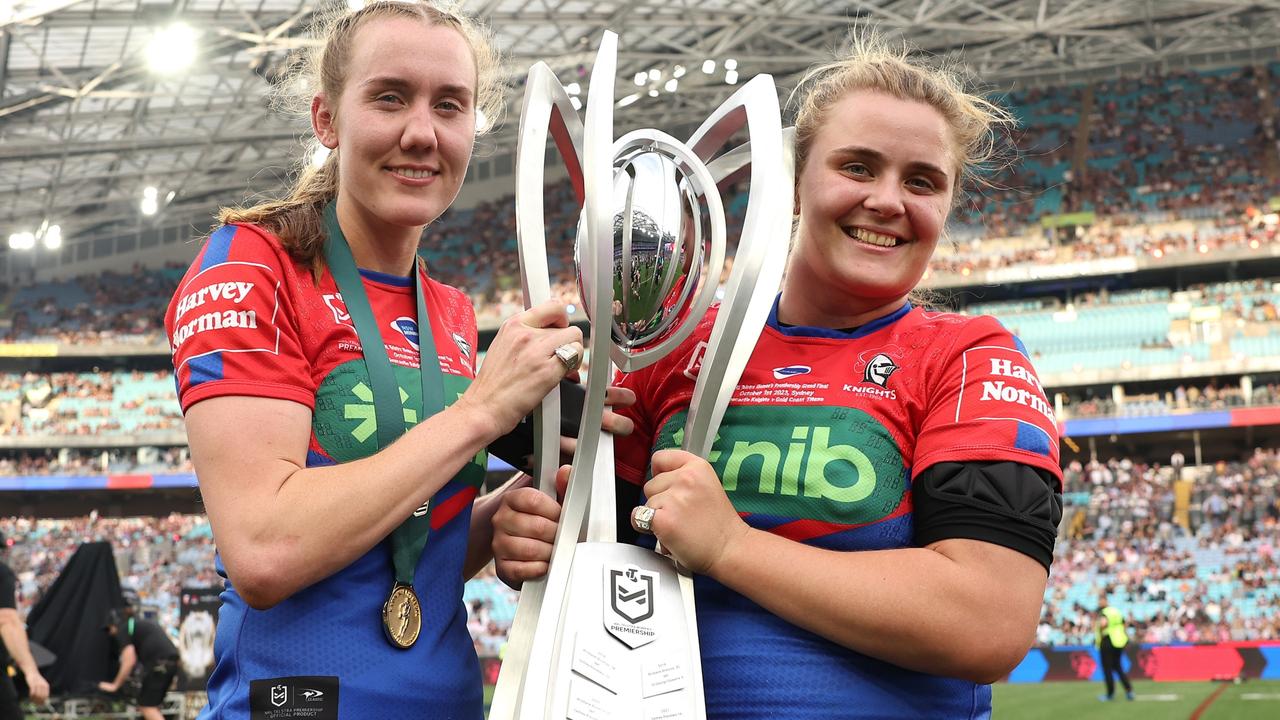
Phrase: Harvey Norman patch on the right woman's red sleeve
(1000,384)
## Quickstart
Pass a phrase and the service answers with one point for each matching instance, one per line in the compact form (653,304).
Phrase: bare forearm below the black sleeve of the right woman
(963,609)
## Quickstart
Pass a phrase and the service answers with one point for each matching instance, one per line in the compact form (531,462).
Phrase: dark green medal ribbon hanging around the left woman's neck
(409,540)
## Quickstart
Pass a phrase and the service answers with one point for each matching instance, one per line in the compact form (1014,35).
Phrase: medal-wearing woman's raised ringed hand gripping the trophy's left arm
(522,366)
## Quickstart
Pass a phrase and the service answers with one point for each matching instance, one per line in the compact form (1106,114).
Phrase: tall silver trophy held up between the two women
(611,632)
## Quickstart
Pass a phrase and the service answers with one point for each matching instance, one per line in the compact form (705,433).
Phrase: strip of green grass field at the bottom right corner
(1255,700)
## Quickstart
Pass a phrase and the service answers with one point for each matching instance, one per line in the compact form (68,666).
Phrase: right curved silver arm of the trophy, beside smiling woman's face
(761,253)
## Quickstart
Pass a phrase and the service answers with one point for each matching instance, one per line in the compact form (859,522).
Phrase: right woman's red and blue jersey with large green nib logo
(821,444)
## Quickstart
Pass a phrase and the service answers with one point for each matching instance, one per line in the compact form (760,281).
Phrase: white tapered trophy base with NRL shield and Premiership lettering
(627,650)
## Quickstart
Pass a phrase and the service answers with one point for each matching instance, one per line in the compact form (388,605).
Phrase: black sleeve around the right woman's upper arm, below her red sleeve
(1007,504)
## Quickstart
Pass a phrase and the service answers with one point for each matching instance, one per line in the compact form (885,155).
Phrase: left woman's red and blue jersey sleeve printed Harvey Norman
(231,325)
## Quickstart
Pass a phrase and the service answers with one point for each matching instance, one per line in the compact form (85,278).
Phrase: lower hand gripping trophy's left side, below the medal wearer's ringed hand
(524,532)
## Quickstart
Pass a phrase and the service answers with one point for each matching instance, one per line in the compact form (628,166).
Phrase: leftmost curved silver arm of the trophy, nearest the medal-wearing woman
(546,108)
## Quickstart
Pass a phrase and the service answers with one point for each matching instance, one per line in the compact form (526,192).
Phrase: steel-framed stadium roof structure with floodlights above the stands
(86,125)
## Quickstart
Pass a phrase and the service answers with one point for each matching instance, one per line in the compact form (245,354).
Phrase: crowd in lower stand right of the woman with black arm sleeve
(1201,569)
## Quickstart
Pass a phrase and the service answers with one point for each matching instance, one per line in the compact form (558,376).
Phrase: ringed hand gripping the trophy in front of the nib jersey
(693,518)
